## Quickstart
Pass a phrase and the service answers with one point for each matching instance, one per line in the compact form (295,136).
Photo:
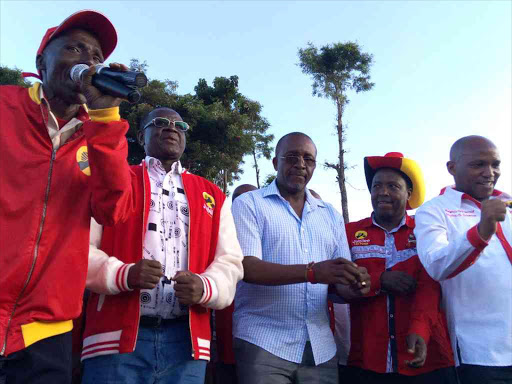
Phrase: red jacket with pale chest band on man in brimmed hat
(374,326)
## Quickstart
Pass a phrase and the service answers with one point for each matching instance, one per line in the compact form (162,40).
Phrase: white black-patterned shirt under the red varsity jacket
(166,237)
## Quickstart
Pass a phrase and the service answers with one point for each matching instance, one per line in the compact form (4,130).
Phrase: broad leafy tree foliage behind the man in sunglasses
(225,125)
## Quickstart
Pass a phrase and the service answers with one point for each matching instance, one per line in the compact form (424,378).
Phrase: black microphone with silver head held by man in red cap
(114,83)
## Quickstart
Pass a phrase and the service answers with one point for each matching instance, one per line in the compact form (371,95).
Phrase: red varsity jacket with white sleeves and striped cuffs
(113,319)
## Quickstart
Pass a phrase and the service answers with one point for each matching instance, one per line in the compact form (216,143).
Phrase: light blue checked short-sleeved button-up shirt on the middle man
(280,319)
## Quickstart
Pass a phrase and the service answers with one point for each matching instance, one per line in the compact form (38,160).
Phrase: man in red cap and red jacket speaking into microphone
(58,160)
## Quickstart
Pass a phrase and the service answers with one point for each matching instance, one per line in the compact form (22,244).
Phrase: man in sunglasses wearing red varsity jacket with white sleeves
(156,276)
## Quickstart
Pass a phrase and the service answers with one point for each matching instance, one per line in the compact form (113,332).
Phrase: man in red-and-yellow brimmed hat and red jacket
(400,319)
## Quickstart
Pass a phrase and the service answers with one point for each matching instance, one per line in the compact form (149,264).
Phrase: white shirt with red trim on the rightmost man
(478,299)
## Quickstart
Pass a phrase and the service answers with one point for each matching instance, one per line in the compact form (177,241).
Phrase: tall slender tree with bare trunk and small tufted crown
(336,69)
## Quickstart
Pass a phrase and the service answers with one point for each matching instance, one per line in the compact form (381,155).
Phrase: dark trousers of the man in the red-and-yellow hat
(355,375)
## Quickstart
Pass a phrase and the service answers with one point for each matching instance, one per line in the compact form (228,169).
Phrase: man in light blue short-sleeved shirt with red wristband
(294,246)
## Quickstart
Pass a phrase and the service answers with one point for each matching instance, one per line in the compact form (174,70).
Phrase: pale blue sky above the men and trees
(442,70)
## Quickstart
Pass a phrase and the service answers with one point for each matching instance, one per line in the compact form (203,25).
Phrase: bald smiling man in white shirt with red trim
(464,241)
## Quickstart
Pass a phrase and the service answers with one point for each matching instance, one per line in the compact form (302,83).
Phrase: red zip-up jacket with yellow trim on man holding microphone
(47,198)
